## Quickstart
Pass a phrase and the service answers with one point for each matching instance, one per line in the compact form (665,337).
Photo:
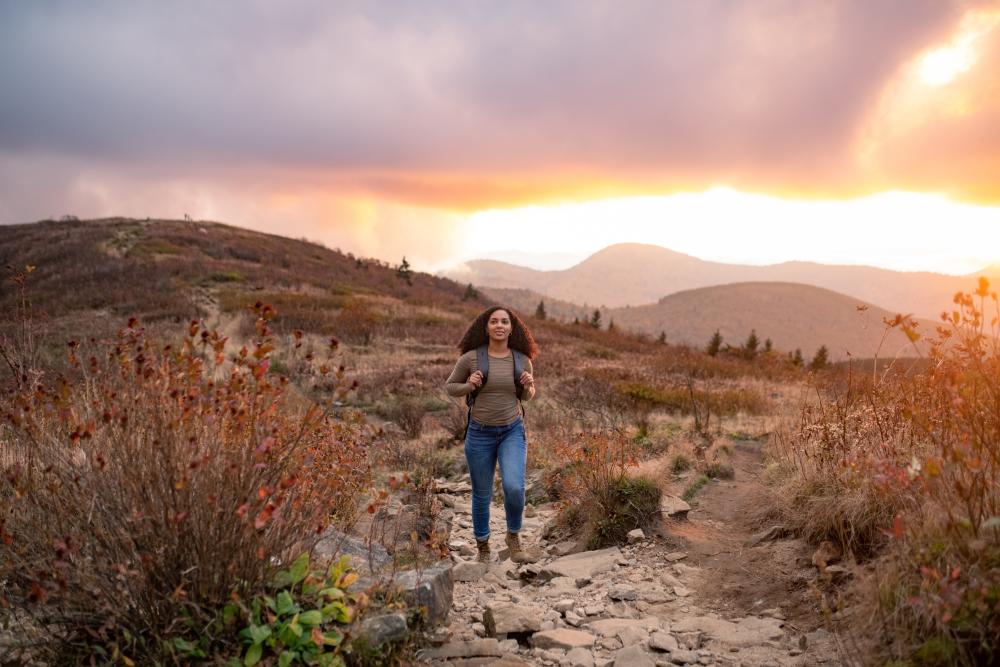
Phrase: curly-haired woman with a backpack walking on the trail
(494,374)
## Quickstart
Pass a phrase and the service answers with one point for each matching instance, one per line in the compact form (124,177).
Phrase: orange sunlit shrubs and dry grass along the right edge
(906,467)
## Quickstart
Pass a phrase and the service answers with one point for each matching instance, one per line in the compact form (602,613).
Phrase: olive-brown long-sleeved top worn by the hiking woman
(496,403)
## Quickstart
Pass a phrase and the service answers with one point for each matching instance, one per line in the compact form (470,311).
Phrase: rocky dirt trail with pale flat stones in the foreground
(691,592)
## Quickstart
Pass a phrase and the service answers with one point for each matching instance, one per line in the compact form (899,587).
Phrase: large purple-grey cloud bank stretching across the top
(512,87)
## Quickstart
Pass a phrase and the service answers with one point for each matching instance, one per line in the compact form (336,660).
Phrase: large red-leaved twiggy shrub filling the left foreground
(154,482)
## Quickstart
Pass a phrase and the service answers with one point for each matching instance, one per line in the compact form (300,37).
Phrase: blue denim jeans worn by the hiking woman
(484,446)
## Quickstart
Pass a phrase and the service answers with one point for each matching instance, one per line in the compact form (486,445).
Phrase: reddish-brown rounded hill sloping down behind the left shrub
(170,270)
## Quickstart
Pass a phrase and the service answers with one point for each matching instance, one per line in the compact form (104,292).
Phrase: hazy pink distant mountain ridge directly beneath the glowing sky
(635,274)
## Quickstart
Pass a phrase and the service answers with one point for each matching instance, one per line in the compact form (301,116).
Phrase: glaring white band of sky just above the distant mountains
(904,231)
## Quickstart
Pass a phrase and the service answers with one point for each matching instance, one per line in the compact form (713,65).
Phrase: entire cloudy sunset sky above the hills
(749,131)
